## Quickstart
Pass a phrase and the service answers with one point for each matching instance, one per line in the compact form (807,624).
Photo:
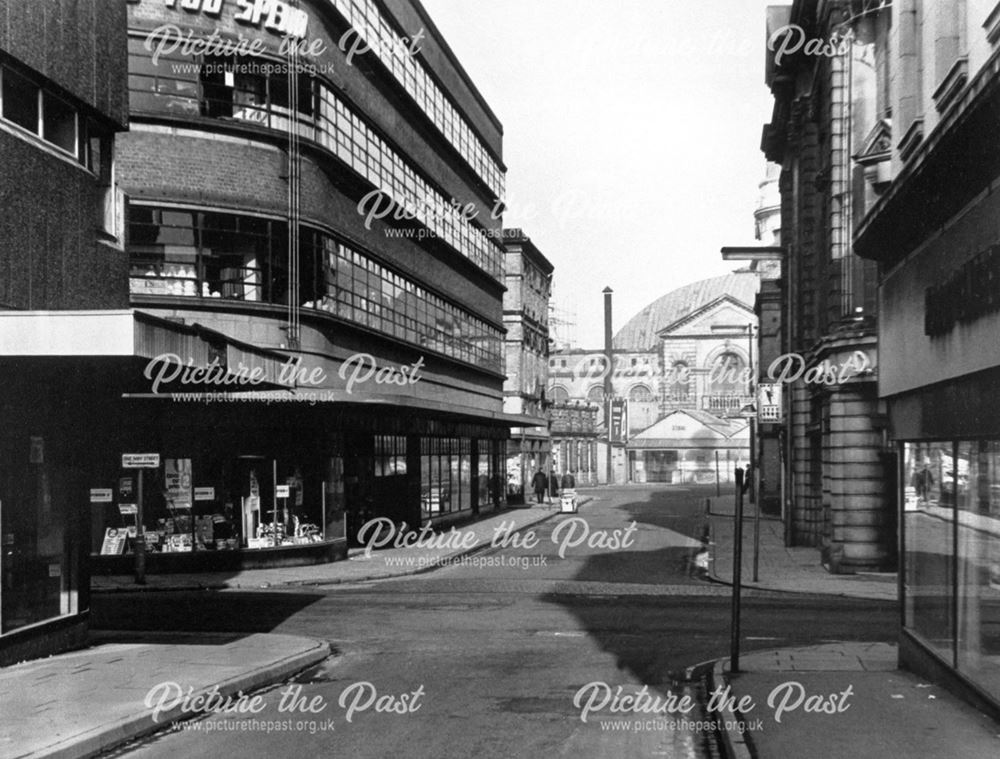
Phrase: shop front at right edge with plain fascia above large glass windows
(939,375)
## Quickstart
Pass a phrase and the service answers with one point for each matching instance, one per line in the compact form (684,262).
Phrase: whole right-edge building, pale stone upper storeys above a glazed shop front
(934,232)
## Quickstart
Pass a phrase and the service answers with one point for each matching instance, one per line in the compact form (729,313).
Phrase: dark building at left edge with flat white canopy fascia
(62,270)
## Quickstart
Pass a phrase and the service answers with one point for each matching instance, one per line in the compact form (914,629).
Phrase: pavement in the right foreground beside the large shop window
(846,700)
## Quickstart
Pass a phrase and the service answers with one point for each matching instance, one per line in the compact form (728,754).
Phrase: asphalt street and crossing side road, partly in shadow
(485,657)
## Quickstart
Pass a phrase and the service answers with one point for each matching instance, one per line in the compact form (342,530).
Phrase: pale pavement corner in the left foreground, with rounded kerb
(81,703)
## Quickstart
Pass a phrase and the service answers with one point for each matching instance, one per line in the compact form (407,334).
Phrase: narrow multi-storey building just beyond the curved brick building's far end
(528,275)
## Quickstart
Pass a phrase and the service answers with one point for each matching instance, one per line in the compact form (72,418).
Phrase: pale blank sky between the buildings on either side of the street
(631,136)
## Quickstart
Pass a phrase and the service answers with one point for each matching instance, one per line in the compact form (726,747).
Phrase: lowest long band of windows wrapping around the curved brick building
(202,254)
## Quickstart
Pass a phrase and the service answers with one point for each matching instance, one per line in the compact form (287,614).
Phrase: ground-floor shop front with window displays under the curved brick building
(225,488)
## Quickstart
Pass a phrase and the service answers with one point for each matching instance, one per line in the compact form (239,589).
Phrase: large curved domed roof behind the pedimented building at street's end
(640,331)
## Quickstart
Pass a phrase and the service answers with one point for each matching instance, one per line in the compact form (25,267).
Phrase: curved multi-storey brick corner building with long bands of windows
(307,206)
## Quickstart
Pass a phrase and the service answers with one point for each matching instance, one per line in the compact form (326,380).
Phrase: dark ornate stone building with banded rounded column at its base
(825,134)
